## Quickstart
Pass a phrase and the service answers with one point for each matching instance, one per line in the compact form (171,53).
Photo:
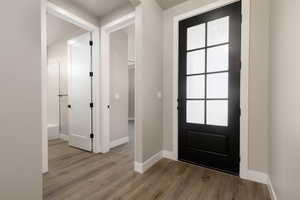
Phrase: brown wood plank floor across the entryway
(78,175)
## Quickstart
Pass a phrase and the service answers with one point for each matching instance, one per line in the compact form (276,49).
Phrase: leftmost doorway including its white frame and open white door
(70,78)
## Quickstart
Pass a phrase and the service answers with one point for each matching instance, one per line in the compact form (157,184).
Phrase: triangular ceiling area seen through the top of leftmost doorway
(58,29)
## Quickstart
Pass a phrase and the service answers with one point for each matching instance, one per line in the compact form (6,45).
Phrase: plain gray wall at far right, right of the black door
(284,99)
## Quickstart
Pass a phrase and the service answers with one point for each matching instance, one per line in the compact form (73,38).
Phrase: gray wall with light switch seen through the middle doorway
(118,85)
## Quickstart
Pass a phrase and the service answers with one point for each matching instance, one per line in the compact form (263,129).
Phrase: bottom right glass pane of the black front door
(217,112)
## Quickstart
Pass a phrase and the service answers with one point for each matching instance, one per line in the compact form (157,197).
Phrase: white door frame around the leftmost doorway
(50,8)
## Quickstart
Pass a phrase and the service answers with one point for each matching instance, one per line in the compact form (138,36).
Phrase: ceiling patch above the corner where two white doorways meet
(98,8)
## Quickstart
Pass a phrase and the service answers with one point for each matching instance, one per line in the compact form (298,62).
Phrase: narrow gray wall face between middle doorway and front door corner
(149,63)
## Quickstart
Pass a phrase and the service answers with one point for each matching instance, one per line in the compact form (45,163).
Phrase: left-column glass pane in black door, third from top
(195,87)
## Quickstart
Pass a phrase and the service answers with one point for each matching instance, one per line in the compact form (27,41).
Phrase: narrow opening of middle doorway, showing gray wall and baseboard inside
(122,89)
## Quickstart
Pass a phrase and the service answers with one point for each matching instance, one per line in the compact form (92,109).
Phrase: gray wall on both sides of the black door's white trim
(258,80)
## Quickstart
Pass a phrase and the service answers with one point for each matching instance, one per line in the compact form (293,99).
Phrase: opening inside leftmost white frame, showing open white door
(70,116)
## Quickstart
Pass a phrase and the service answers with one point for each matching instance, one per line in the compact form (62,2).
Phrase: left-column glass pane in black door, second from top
(196,62)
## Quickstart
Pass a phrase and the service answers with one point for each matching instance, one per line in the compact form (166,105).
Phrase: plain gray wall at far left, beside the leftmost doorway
(20,105)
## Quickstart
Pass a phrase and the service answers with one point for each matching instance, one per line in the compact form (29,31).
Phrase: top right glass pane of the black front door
(218,31)
